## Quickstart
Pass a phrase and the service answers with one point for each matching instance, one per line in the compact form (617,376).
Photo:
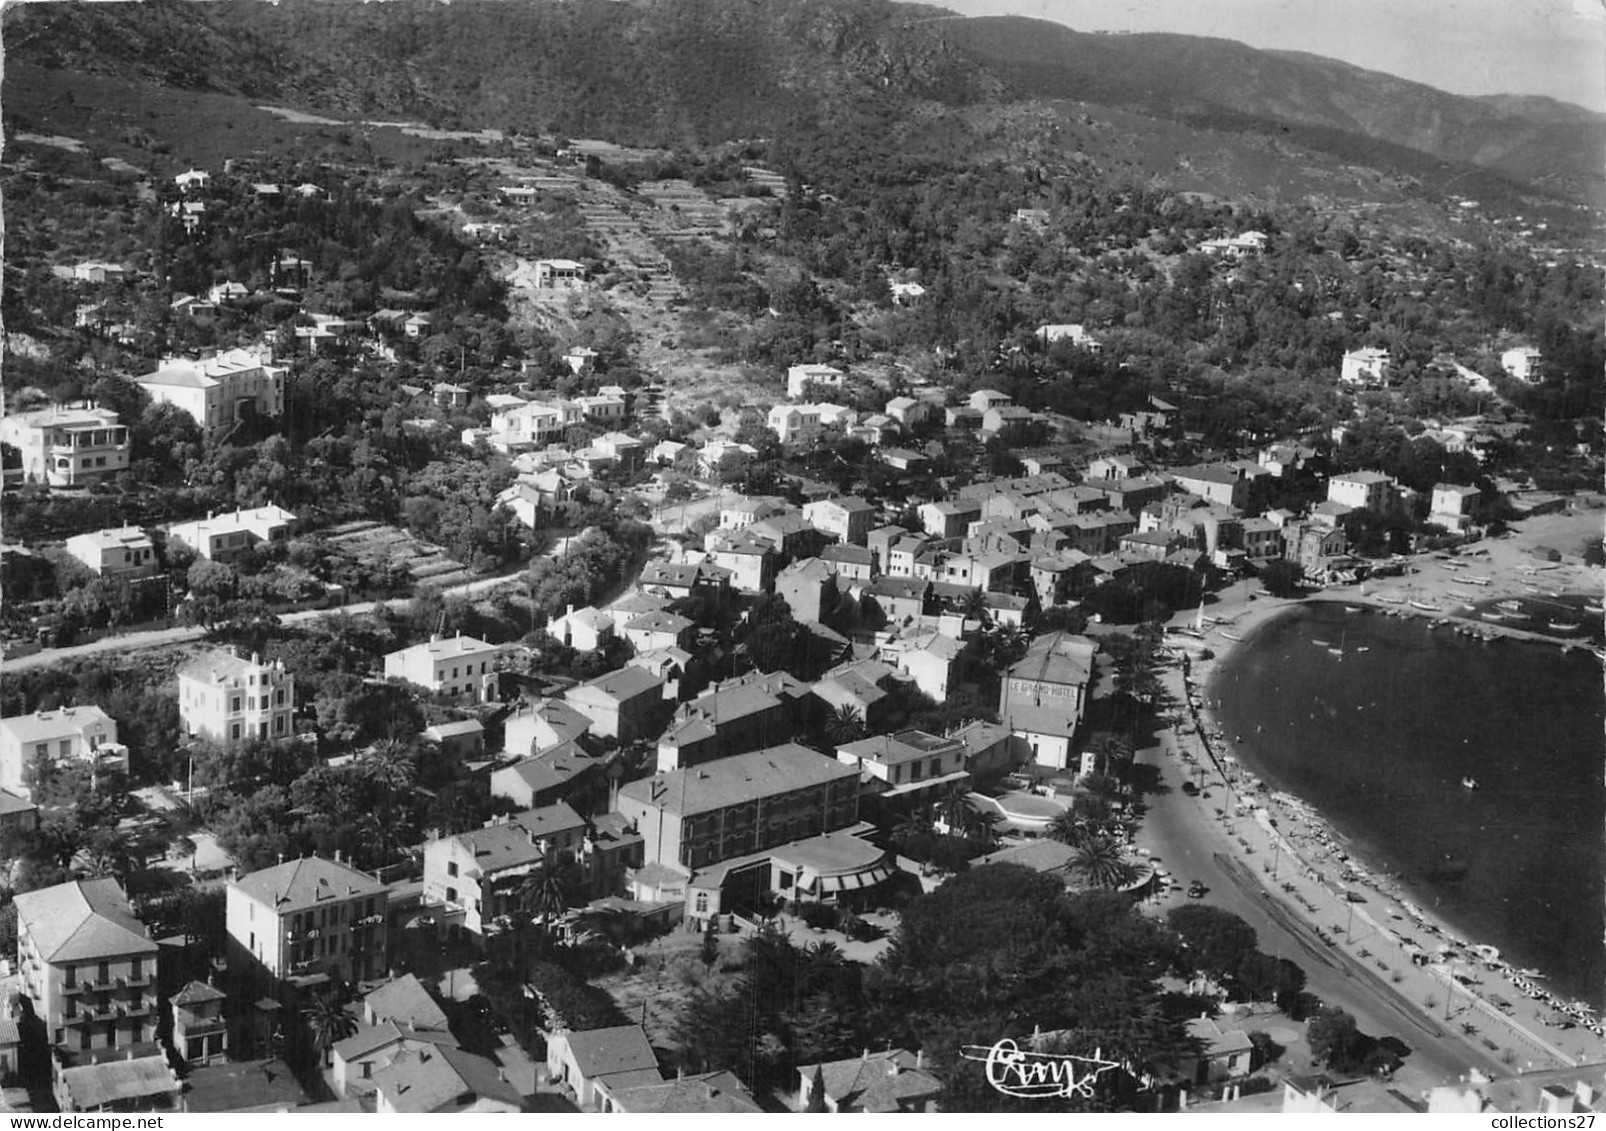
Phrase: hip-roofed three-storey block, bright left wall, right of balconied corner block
(300,925)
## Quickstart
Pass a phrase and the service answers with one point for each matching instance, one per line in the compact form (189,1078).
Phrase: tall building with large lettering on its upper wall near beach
(1045,695)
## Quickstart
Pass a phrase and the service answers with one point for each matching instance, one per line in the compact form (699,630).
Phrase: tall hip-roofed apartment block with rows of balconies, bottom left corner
(91,971)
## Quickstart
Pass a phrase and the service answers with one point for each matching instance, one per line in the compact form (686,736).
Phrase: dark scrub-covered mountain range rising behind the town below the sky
(691,73)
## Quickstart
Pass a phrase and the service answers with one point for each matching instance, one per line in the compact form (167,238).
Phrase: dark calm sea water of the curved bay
(1377,722)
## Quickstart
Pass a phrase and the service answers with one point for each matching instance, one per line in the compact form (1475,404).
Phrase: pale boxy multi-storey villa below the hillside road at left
(227,698)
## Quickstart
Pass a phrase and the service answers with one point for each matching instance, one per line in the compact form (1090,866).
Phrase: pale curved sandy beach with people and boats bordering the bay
(1461,994)
